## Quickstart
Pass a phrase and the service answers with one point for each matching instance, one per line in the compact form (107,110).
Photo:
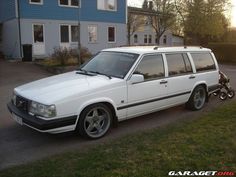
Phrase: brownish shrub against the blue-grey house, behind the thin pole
(65,56)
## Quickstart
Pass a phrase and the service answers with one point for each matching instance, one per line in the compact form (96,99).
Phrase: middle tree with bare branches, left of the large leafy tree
(163,17)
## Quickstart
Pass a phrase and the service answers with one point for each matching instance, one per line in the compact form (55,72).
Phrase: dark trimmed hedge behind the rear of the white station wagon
(224,52)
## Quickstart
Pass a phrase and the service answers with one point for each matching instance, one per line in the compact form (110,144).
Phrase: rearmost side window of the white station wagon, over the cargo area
(203,61)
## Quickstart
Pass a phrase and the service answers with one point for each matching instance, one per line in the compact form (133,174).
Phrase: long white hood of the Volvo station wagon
(51,89)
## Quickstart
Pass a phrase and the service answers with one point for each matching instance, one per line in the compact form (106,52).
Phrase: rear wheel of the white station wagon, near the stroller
(197,99)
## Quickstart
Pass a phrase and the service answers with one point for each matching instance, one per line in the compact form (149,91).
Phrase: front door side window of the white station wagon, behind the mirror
(151,67)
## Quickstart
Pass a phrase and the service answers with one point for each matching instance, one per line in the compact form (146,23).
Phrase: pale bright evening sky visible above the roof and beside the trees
(233,11)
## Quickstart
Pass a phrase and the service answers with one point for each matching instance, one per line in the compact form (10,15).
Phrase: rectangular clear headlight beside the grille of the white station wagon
(42,110)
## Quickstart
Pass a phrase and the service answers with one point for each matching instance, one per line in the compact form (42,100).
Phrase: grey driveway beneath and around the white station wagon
(19,144)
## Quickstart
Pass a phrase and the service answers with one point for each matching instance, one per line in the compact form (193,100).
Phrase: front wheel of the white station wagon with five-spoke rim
(95,121)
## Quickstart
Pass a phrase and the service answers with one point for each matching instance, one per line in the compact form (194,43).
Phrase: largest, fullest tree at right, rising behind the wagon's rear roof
(202,20)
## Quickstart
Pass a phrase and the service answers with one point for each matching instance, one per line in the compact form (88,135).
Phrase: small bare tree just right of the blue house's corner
(133,24)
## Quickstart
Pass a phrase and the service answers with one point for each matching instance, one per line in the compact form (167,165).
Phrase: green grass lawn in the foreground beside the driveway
(207,143)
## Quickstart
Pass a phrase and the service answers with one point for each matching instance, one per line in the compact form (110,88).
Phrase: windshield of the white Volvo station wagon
(112,64)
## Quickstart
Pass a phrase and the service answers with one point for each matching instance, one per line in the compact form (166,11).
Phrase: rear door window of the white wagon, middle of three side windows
(178,64)
